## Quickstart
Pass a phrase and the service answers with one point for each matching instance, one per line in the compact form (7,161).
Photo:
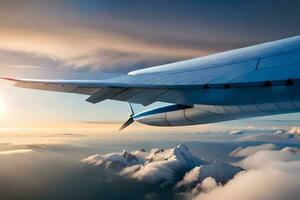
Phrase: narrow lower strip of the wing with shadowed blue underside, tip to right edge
(222,93)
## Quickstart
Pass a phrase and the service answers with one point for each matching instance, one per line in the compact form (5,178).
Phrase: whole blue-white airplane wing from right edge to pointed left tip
(210,80)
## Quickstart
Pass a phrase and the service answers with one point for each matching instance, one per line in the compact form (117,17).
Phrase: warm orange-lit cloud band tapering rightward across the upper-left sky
(94,40)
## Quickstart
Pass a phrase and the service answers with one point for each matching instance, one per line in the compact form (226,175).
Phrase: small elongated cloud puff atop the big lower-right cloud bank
(247,151)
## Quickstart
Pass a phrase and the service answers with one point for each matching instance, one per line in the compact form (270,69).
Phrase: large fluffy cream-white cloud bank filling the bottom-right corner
(271,174)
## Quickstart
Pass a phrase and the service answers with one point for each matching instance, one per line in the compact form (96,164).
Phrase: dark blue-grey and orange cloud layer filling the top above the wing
(133,34)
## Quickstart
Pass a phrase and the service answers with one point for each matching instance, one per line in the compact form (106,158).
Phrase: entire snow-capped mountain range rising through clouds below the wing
(164,166)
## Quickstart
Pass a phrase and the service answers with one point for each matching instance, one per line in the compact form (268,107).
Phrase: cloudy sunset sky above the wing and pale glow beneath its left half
(80,40)
